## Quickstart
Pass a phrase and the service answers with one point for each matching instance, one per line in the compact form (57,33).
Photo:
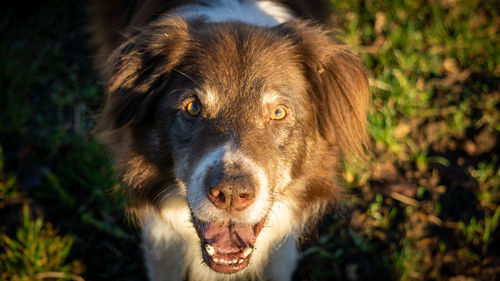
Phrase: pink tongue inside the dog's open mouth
(228,238)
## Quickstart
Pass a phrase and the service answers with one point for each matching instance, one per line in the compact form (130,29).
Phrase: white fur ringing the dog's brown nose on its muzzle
(225,154)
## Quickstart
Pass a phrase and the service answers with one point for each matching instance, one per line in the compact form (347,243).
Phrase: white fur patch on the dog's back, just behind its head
(261,13)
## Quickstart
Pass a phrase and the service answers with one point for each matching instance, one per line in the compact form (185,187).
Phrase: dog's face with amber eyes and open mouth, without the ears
(236,122)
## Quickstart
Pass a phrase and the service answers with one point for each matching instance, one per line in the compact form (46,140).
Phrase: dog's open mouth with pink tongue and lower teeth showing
(227,246)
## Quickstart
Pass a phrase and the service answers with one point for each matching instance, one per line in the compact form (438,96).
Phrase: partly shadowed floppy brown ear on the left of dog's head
(139,69)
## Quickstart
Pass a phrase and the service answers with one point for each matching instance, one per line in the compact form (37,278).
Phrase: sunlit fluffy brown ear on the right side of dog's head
(338,87)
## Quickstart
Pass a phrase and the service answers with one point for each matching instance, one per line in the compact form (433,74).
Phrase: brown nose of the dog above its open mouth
(232,193)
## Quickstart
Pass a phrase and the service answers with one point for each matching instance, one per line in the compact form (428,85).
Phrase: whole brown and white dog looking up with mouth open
(229,120)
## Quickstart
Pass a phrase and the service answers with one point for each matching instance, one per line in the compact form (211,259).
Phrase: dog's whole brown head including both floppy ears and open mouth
(235,117)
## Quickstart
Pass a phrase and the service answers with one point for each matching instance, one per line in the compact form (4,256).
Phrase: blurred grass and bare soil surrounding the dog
(427,209)
